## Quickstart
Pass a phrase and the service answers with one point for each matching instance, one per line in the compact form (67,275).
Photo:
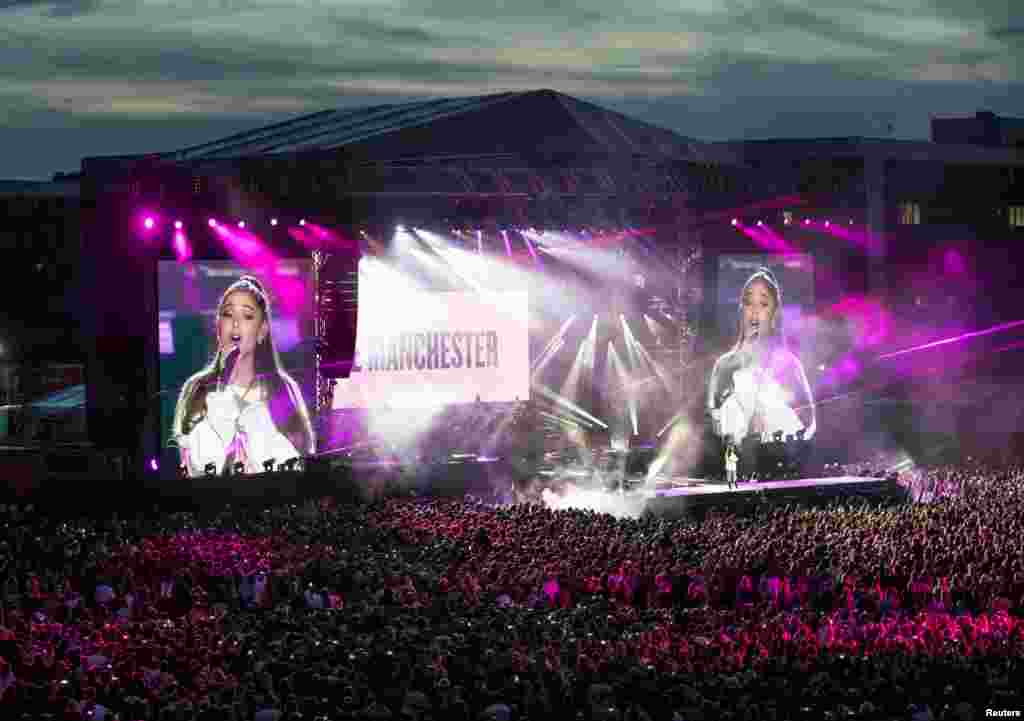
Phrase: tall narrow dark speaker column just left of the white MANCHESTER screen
(339,301)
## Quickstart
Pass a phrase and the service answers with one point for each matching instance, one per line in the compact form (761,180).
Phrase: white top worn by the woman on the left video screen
(234,422)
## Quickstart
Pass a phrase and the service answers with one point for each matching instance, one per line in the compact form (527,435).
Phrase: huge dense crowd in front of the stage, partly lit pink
(432,609)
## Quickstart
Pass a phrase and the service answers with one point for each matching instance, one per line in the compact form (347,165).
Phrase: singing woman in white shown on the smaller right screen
(760,388)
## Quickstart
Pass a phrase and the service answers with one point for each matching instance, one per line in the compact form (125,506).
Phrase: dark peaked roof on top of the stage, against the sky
(532,123)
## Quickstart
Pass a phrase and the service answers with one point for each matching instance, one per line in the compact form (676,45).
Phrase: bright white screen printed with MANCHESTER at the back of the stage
(423,350)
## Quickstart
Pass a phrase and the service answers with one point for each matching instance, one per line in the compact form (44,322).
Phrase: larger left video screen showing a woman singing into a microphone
(237,365)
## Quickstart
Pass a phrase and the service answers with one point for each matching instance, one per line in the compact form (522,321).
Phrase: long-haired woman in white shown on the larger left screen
(243,407)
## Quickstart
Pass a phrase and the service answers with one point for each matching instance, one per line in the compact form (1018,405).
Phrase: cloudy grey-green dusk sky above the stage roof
(106,77)
